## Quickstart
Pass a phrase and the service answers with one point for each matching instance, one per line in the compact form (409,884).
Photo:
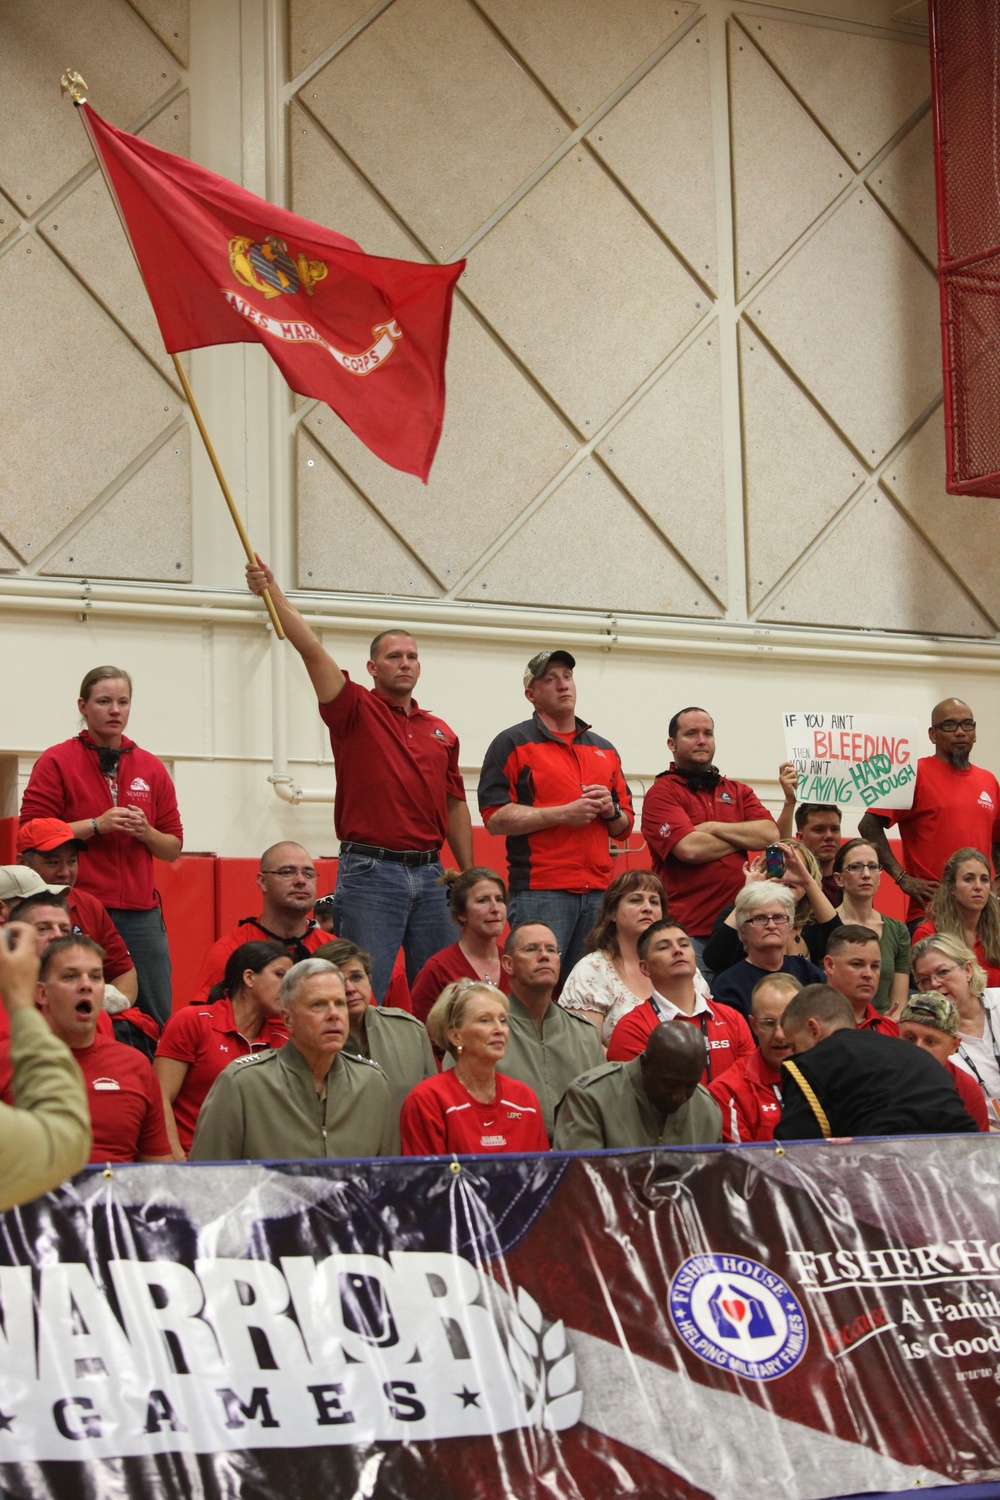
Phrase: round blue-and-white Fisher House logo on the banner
(737,1315)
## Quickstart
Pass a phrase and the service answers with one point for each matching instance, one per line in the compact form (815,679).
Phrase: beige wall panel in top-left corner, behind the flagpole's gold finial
(115,52)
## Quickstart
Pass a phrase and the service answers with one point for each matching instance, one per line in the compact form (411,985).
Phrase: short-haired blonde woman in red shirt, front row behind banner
(472,1109)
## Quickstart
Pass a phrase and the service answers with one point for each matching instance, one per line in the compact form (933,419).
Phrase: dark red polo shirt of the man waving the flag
(395,772)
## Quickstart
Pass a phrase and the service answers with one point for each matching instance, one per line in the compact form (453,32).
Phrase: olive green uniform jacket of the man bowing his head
(609,1108)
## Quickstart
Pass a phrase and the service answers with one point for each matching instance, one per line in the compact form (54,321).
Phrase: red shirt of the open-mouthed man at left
(127,1106)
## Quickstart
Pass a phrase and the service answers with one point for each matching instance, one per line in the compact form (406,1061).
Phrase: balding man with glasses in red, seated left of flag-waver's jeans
(289,883)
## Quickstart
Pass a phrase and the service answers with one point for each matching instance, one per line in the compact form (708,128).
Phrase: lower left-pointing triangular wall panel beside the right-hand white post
(668,452)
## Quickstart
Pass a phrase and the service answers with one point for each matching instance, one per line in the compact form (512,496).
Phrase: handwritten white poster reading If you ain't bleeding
(852,760)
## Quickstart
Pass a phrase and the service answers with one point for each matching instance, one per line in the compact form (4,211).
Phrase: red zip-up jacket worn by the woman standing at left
(67,782)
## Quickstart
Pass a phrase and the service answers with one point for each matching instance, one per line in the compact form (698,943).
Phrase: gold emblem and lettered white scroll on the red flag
(272,269)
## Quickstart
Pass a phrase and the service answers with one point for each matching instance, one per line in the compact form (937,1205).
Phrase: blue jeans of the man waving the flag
(385,907)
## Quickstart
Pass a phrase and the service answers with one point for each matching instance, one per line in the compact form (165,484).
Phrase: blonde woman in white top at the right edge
(950,965)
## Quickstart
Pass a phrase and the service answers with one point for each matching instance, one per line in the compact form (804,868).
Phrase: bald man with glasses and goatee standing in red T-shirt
(956,806)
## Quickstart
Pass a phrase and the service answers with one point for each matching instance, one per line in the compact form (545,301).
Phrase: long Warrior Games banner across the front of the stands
(741,1324)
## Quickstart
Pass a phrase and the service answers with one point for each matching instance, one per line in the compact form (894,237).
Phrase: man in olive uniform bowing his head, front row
(654,1100)
